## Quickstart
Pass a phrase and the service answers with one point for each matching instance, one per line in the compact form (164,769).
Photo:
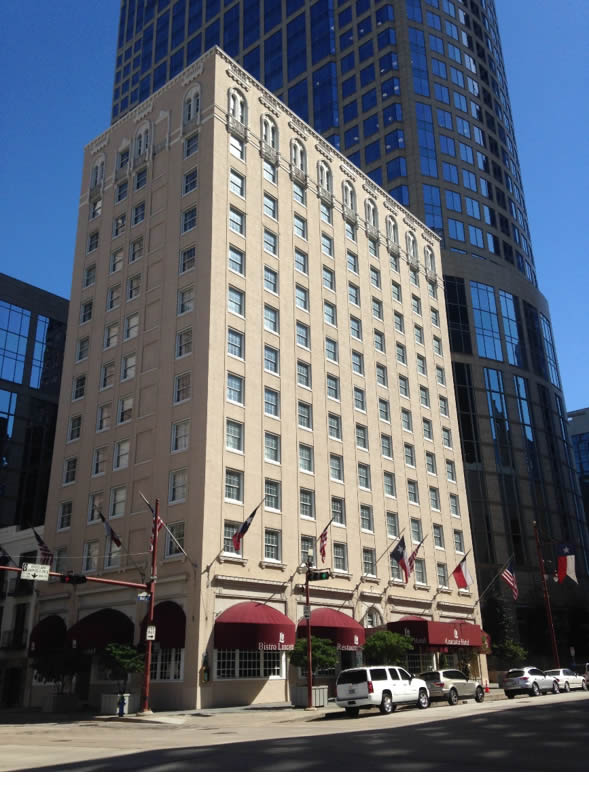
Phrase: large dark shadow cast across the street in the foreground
(543,738)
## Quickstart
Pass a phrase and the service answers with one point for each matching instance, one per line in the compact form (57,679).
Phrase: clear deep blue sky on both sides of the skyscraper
(57,61)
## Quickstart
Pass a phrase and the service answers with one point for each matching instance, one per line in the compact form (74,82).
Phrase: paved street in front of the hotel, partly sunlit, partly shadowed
(527,734)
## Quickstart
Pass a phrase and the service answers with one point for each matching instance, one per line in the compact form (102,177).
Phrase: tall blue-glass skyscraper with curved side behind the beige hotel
(414,92)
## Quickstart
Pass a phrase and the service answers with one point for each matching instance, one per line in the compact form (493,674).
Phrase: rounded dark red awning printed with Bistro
(253,625)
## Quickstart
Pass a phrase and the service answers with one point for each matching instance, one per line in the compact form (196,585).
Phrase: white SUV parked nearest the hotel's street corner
(382,686)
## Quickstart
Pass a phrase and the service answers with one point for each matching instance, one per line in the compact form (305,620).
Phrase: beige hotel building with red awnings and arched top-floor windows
(252,320)
